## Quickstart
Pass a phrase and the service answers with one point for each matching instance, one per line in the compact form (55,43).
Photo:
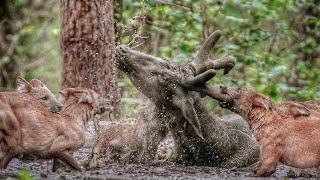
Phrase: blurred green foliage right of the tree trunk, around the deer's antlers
(273,55)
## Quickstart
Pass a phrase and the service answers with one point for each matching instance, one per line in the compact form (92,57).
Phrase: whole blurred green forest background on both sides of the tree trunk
(276,42)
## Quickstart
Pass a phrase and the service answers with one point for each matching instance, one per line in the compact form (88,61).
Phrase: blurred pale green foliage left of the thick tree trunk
(36,40)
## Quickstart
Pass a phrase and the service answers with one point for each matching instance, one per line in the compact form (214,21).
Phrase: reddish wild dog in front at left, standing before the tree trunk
(46,134)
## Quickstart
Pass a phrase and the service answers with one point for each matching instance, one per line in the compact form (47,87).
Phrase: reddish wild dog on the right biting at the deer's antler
(292,142)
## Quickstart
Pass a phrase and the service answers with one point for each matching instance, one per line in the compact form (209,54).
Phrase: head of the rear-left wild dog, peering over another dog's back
(39,91)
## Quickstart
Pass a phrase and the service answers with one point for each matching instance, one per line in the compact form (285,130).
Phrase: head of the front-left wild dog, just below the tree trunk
(84,95)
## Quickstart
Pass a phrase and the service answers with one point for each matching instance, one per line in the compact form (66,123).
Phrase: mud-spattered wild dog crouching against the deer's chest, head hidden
(121,142)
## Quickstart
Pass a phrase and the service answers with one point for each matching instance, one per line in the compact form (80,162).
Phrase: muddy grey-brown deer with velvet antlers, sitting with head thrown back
(199,137)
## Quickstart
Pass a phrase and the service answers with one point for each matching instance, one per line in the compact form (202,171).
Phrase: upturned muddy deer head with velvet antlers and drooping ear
(172,85)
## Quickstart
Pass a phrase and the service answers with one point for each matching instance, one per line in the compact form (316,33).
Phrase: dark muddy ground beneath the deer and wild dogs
(41,169)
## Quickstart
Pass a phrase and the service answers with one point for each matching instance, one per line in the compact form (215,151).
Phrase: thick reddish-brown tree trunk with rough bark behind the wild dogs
(88,44)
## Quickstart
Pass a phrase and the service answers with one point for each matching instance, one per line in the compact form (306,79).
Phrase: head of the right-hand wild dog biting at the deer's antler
(245,99)
